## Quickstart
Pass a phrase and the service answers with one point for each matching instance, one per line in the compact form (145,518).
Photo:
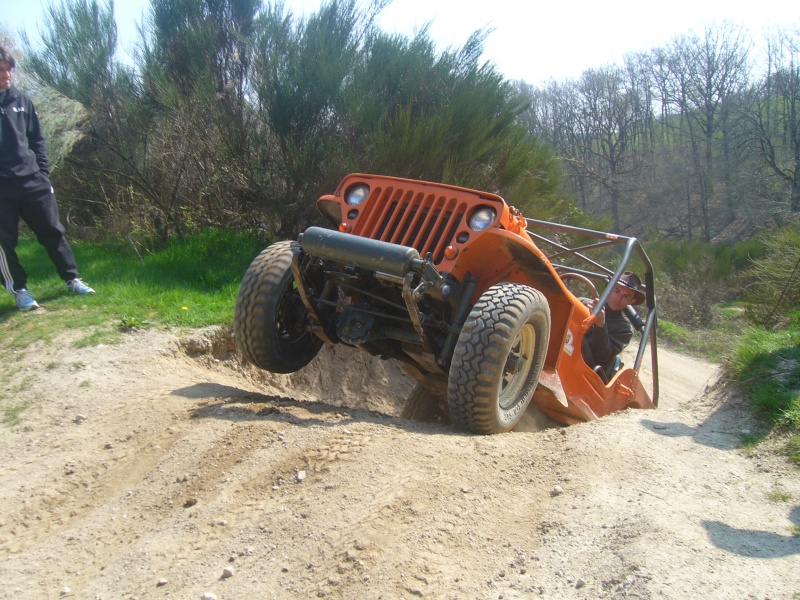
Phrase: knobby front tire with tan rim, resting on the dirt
(498,359)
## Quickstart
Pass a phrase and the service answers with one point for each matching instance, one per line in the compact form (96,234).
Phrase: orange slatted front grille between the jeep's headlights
(413,218)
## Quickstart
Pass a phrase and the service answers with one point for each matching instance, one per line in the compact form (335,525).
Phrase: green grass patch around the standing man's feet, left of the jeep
(189,282)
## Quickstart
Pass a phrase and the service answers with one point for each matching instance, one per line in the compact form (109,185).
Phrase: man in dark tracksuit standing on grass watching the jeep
(26,193)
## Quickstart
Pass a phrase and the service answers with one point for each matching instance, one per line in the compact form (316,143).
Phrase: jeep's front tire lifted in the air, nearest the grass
(270,319)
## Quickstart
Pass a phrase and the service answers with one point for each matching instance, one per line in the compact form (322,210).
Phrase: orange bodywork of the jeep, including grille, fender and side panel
(433,218)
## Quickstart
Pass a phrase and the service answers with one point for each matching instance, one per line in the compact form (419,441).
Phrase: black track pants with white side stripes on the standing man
(32,200)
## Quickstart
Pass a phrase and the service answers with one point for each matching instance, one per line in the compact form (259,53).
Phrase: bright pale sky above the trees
(532,40)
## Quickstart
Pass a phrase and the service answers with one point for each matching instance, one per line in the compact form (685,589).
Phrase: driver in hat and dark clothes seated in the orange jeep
(612,330)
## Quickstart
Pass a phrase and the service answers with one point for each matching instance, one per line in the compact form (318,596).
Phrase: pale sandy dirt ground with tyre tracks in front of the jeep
(163,468)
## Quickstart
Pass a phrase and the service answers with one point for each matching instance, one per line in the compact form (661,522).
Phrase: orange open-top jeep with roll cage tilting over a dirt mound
(454,284)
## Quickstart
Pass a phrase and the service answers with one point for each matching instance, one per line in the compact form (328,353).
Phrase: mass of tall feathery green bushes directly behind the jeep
(240,114)
